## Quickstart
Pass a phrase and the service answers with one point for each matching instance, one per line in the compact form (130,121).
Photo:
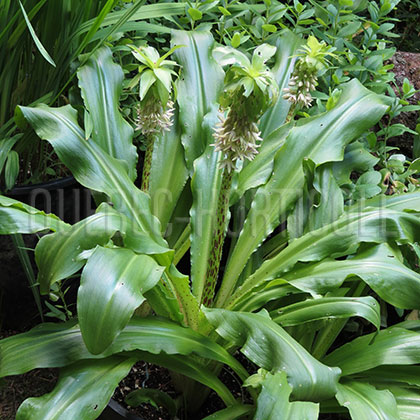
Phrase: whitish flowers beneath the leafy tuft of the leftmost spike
(152,118)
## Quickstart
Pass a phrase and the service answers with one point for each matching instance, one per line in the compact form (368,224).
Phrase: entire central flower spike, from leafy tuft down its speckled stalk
(250,89)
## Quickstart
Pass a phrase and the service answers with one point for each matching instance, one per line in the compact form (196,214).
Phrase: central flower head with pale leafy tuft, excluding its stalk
(249,90)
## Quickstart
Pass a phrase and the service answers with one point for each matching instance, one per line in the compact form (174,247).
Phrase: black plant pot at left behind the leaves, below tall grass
(64,197)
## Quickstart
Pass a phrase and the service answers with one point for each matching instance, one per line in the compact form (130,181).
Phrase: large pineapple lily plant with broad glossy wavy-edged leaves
(280,290)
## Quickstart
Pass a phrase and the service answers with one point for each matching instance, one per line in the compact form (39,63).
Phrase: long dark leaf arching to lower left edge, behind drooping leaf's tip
(57,345)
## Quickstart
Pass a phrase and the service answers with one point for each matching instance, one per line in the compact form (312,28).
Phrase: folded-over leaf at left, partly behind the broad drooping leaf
(58,255)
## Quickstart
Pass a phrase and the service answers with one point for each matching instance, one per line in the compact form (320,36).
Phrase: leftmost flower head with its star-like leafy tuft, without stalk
(155,110)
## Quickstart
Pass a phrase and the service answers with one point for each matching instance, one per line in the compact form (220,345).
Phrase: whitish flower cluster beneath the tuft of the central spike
(237,138)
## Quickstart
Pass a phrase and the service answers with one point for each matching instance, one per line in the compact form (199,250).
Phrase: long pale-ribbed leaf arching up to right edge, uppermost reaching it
(337,239)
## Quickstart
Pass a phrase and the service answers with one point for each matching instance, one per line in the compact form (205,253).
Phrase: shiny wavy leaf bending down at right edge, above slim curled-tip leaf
(376,265)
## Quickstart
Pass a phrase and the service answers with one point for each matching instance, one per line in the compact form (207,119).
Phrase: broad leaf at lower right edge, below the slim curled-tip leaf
(393,346)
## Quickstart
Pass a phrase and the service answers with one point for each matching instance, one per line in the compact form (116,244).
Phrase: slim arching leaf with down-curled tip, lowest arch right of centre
(328,307)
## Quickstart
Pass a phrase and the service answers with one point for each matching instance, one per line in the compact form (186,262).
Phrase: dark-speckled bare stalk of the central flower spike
(218,238)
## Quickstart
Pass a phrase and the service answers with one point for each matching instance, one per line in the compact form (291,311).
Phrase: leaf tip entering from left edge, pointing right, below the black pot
(17,217)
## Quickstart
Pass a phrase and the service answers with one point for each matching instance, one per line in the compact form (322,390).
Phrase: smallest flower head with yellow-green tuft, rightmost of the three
(304,80)
